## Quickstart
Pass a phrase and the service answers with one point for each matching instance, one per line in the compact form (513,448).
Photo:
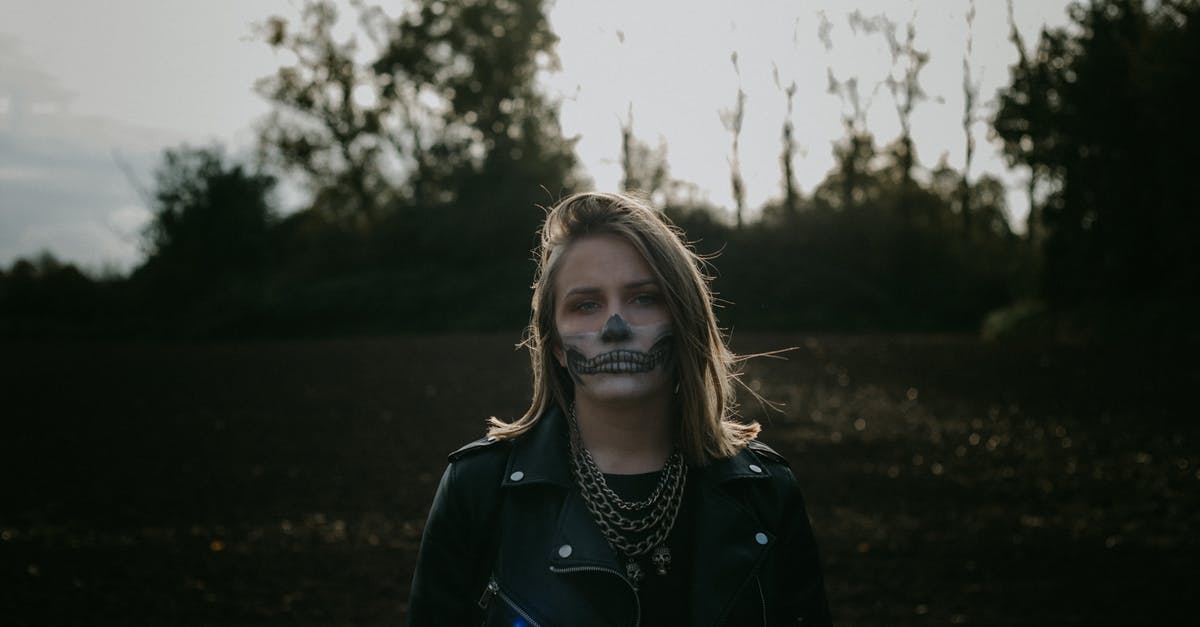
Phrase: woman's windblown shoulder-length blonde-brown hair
(706,368)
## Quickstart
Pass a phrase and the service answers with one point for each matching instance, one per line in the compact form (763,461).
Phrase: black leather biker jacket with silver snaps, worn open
(495,550)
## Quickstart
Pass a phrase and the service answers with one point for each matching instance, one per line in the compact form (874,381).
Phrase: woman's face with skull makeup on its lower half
(613,321)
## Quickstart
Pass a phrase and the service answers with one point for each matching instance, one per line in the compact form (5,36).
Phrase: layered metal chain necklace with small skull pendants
(632,528)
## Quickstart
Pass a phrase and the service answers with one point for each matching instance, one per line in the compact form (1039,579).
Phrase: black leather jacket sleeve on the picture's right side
(799,572)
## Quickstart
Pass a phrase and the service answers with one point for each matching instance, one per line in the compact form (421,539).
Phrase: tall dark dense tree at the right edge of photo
(1106,115)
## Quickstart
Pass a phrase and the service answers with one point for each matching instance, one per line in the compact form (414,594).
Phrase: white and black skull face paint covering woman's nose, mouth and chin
(621,361)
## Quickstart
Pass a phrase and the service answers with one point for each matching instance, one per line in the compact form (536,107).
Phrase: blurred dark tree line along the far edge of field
(429,168)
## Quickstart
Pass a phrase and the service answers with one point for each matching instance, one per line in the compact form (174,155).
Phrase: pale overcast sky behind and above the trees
(92,95)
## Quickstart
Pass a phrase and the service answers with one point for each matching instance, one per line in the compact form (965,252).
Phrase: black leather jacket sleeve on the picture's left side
(453,560)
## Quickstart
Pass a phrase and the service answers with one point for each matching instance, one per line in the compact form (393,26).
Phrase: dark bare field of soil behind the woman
(286,483)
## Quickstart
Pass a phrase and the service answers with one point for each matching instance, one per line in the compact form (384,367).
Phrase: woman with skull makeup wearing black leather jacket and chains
(627,494)
